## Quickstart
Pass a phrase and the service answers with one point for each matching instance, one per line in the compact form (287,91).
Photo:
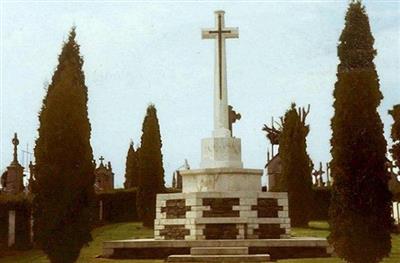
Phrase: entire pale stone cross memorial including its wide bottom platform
(222,215)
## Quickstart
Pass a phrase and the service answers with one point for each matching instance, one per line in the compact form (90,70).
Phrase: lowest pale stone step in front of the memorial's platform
(219,258)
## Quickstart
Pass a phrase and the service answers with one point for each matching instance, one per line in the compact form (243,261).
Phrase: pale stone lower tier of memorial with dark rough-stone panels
(222,215)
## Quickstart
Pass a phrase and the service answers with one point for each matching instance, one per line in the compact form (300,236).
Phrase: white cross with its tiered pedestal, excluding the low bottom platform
(221,200)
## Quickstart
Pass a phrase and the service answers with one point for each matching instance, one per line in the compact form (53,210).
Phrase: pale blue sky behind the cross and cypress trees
(136,53)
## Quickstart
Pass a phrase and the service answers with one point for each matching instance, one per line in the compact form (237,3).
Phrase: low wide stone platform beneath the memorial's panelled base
(162,249)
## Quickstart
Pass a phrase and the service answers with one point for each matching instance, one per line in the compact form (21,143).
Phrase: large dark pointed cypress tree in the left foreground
(63,189)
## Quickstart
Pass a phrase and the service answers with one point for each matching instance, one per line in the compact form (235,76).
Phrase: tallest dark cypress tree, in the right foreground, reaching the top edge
(361,202)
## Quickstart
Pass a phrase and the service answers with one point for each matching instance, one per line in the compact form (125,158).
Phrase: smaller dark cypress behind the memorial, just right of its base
(296,165)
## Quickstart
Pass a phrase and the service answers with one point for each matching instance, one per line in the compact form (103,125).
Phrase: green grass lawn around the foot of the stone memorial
(135,230)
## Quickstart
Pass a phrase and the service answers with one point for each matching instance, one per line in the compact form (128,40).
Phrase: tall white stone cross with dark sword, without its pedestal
(220,33)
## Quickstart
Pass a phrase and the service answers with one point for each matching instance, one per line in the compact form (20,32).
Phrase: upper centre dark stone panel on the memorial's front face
(221,207)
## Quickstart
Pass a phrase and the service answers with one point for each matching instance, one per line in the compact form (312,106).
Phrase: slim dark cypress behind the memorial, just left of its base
(151,171)
